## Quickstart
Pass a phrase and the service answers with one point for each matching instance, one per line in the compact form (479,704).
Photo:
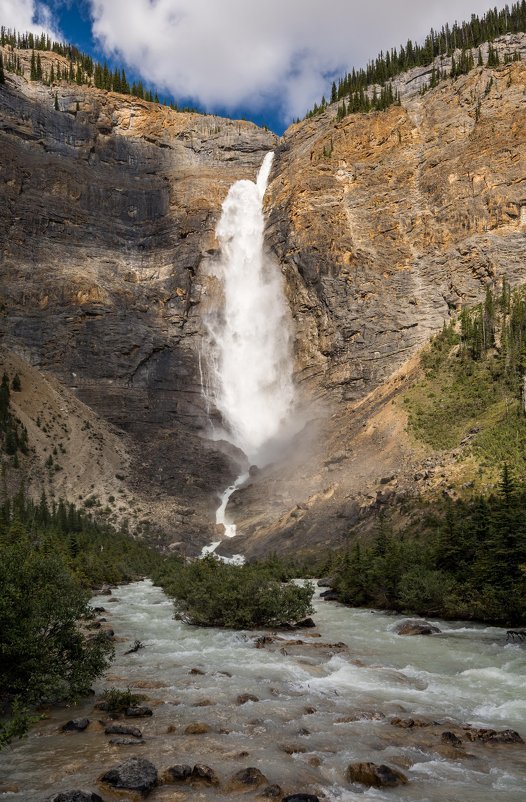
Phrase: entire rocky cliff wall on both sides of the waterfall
(382,223)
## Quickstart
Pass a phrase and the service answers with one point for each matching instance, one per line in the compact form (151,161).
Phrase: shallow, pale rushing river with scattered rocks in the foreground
(308,723)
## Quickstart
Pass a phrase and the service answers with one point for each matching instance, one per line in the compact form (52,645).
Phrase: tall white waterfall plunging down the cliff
(251,361)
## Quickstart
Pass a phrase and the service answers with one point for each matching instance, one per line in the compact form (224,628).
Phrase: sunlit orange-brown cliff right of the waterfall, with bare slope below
(384,225)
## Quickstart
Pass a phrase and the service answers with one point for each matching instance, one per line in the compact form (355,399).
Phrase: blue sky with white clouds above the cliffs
(267,61)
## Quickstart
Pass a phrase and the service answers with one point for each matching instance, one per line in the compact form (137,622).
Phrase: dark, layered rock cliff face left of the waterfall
(108,206)
